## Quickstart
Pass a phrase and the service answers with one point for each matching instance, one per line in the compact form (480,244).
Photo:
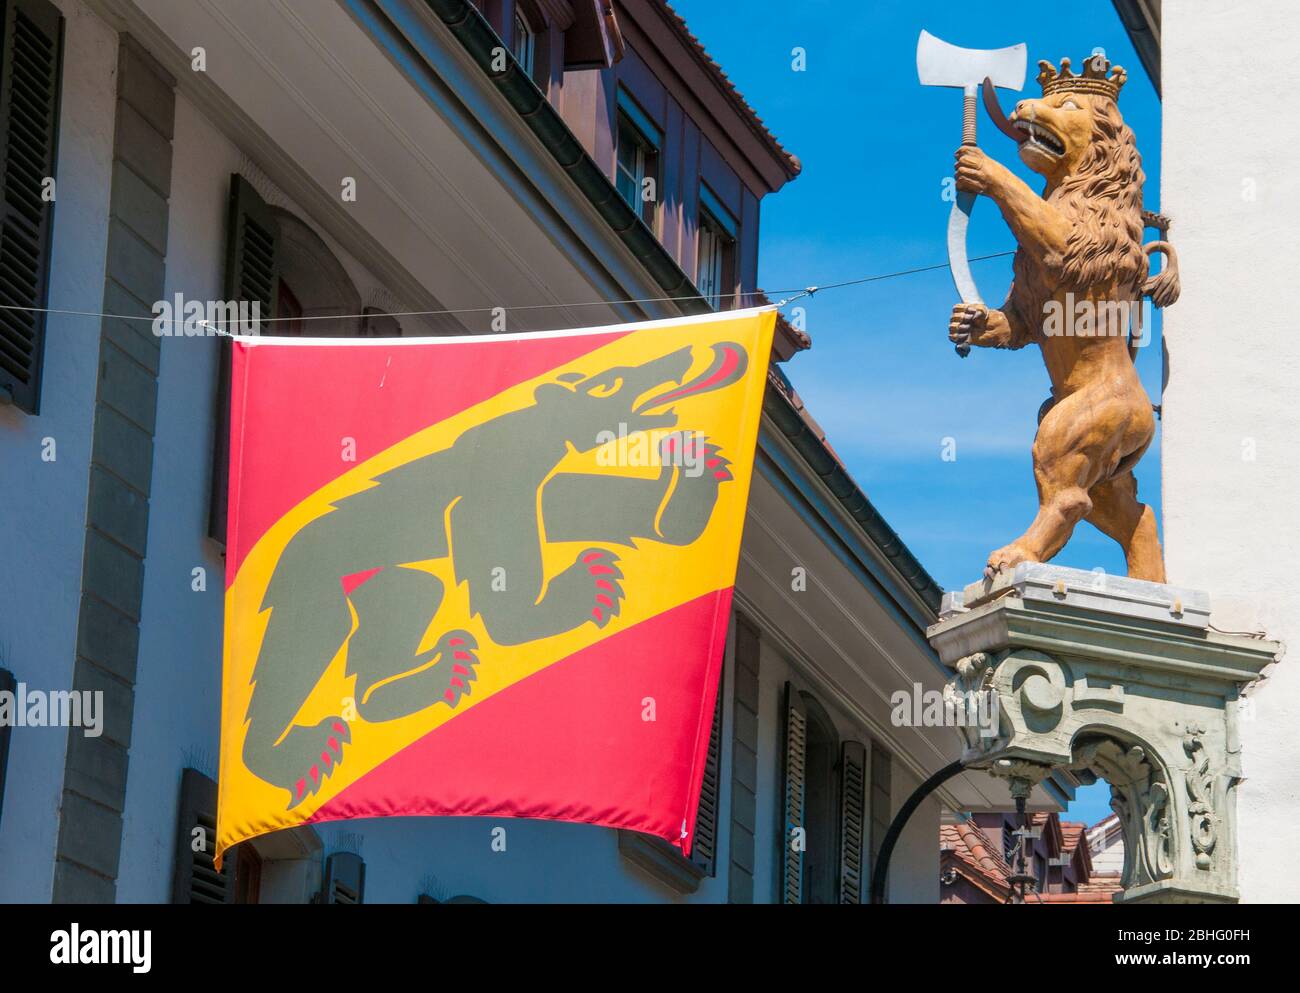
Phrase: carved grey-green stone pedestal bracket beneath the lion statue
(1121,680)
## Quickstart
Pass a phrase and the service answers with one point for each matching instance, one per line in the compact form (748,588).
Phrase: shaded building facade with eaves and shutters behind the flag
(382,168)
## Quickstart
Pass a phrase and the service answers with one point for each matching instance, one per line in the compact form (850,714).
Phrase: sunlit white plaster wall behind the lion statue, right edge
(1232,419)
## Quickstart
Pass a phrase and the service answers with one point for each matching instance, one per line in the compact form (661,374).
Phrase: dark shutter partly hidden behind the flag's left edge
(253,276)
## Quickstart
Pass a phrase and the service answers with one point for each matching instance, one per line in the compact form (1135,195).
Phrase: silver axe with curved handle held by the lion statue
(942,64)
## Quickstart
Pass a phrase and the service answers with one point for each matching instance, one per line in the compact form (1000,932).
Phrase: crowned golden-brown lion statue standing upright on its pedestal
(1081,275)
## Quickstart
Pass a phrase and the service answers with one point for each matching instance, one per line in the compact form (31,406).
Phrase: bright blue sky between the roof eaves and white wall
(882,378)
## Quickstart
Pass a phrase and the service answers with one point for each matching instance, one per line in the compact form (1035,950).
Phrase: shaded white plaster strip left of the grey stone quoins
(44,526)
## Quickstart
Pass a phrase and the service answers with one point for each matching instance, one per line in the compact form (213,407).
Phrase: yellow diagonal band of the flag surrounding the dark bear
(657,578)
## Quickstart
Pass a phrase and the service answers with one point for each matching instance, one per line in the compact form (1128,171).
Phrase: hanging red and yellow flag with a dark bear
(484,576)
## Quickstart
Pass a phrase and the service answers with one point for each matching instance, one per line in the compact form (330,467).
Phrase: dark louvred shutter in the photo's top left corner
(31,71)
